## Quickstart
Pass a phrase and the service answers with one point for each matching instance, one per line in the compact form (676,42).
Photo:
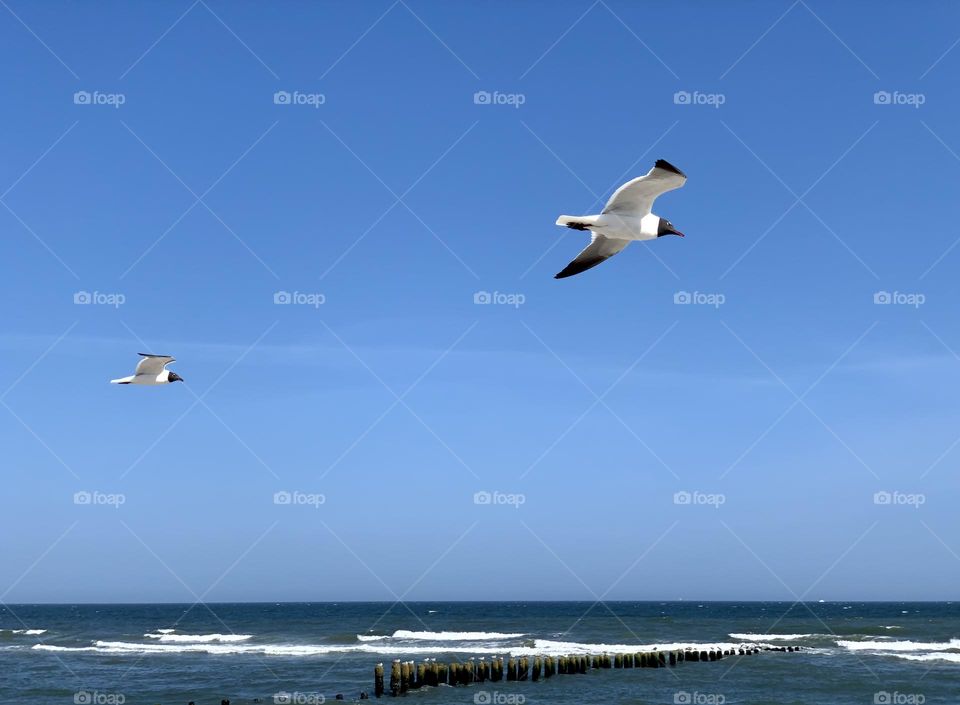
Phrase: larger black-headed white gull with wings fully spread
(625,218)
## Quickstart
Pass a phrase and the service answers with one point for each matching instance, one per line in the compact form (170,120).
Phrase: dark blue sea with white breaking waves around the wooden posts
(866,653)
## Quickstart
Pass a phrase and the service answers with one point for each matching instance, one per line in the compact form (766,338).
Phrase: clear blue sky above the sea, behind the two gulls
(390,195)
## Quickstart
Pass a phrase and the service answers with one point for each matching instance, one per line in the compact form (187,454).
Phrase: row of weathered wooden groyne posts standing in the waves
(409,675)
